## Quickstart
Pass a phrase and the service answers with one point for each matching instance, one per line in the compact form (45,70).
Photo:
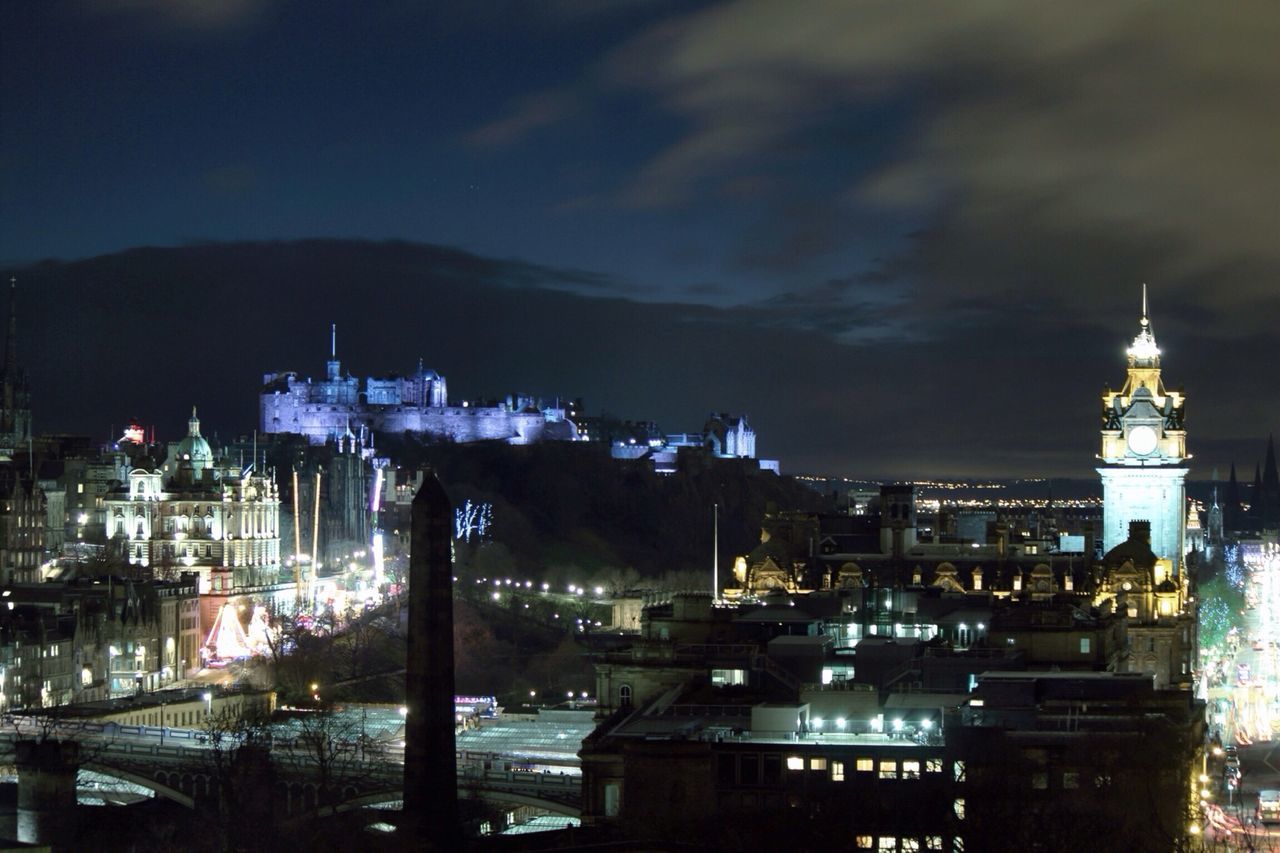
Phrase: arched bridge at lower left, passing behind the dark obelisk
(312,777)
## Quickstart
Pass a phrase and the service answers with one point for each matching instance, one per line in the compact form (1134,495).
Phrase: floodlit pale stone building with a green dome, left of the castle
(199,516)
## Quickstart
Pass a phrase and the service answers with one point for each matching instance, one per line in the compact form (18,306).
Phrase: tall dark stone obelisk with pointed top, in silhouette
(431,818)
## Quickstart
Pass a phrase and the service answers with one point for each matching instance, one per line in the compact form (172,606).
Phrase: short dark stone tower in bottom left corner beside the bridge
(47,791)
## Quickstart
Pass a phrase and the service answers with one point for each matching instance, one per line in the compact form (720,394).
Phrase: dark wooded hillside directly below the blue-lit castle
(569,508)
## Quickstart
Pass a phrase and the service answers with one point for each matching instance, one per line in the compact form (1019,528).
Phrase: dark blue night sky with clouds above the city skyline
(904,243)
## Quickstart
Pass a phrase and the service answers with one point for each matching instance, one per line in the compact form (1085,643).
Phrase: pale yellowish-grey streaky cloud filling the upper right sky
(1131,143)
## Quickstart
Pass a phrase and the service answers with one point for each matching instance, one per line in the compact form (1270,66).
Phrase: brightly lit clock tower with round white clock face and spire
(1145,454)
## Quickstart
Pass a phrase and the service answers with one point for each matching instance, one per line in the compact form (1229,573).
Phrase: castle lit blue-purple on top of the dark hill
(335,408)
